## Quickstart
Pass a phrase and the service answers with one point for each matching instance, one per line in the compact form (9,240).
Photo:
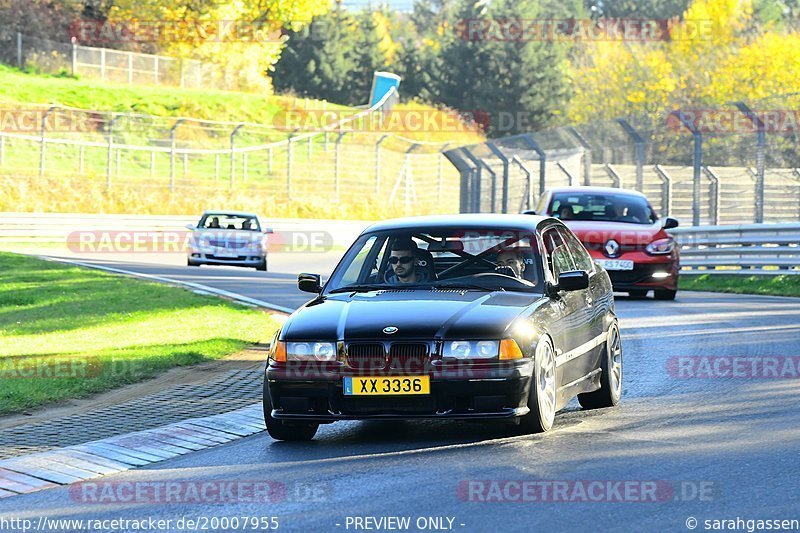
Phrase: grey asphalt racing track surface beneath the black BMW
(724,448)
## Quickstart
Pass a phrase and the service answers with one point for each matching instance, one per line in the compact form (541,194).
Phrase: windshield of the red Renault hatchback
(611,207)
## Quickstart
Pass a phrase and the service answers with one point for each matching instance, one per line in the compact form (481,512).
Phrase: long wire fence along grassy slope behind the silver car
(147,153)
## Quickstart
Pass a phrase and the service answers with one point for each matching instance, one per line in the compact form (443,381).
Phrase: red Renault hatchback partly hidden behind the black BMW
(623,234)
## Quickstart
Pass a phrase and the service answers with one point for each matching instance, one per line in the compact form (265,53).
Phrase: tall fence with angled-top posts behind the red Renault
(736,164)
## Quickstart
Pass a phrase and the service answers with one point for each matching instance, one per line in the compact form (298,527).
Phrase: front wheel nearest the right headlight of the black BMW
(542,396)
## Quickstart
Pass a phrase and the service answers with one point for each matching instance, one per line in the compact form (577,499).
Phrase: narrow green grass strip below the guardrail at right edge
(780,285)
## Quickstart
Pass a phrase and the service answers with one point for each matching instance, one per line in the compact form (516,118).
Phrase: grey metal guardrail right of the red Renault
(767,249)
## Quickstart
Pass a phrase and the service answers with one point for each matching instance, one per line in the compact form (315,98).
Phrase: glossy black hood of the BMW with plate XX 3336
(417,314)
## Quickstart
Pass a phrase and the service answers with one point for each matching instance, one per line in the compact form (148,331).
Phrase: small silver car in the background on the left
(228,238)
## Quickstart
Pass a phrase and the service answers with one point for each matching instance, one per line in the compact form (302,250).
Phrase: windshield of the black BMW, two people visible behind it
(479,259)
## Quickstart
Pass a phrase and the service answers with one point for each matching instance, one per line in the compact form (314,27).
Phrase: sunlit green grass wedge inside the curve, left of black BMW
(66,332)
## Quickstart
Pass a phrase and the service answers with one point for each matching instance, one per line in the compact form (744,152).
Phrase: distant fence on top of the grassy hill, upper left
(119,66)
